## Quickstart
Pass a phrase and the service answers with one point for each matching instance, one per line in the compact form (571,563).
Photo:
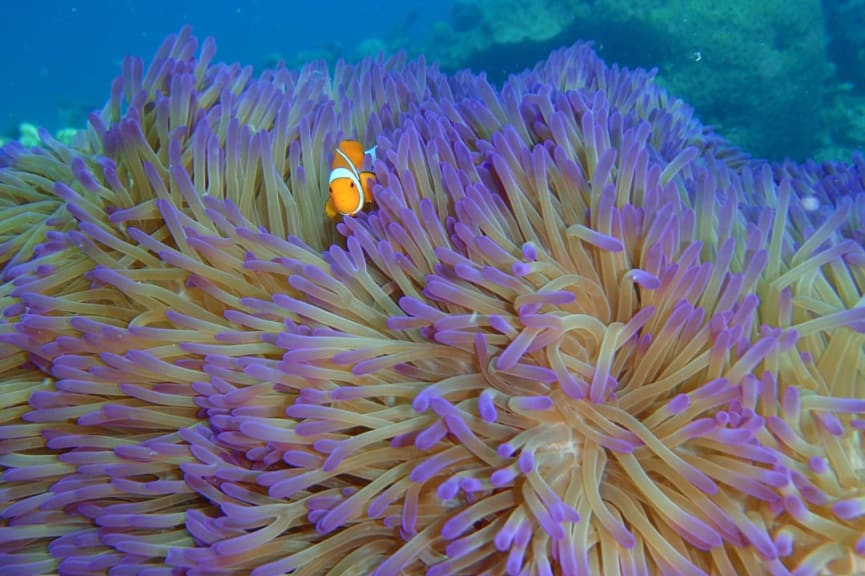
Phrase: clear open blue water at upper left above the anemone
(60,57)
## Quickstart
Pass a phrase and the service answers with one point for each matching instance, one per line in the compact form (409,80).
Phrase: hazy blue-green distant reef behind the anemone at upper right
(755,70)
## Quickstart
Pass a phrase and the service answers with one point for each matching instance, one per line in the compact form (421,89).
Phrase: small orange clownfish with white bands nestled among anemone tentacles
(349,185)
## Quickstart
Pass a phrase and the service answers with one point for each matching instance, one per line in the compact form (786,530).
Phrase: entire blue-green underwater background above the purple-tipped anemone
(779,78)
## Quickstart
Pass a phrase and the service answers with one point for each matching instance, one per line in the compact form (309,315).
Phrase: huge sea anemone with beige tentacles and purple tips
(577,334)
